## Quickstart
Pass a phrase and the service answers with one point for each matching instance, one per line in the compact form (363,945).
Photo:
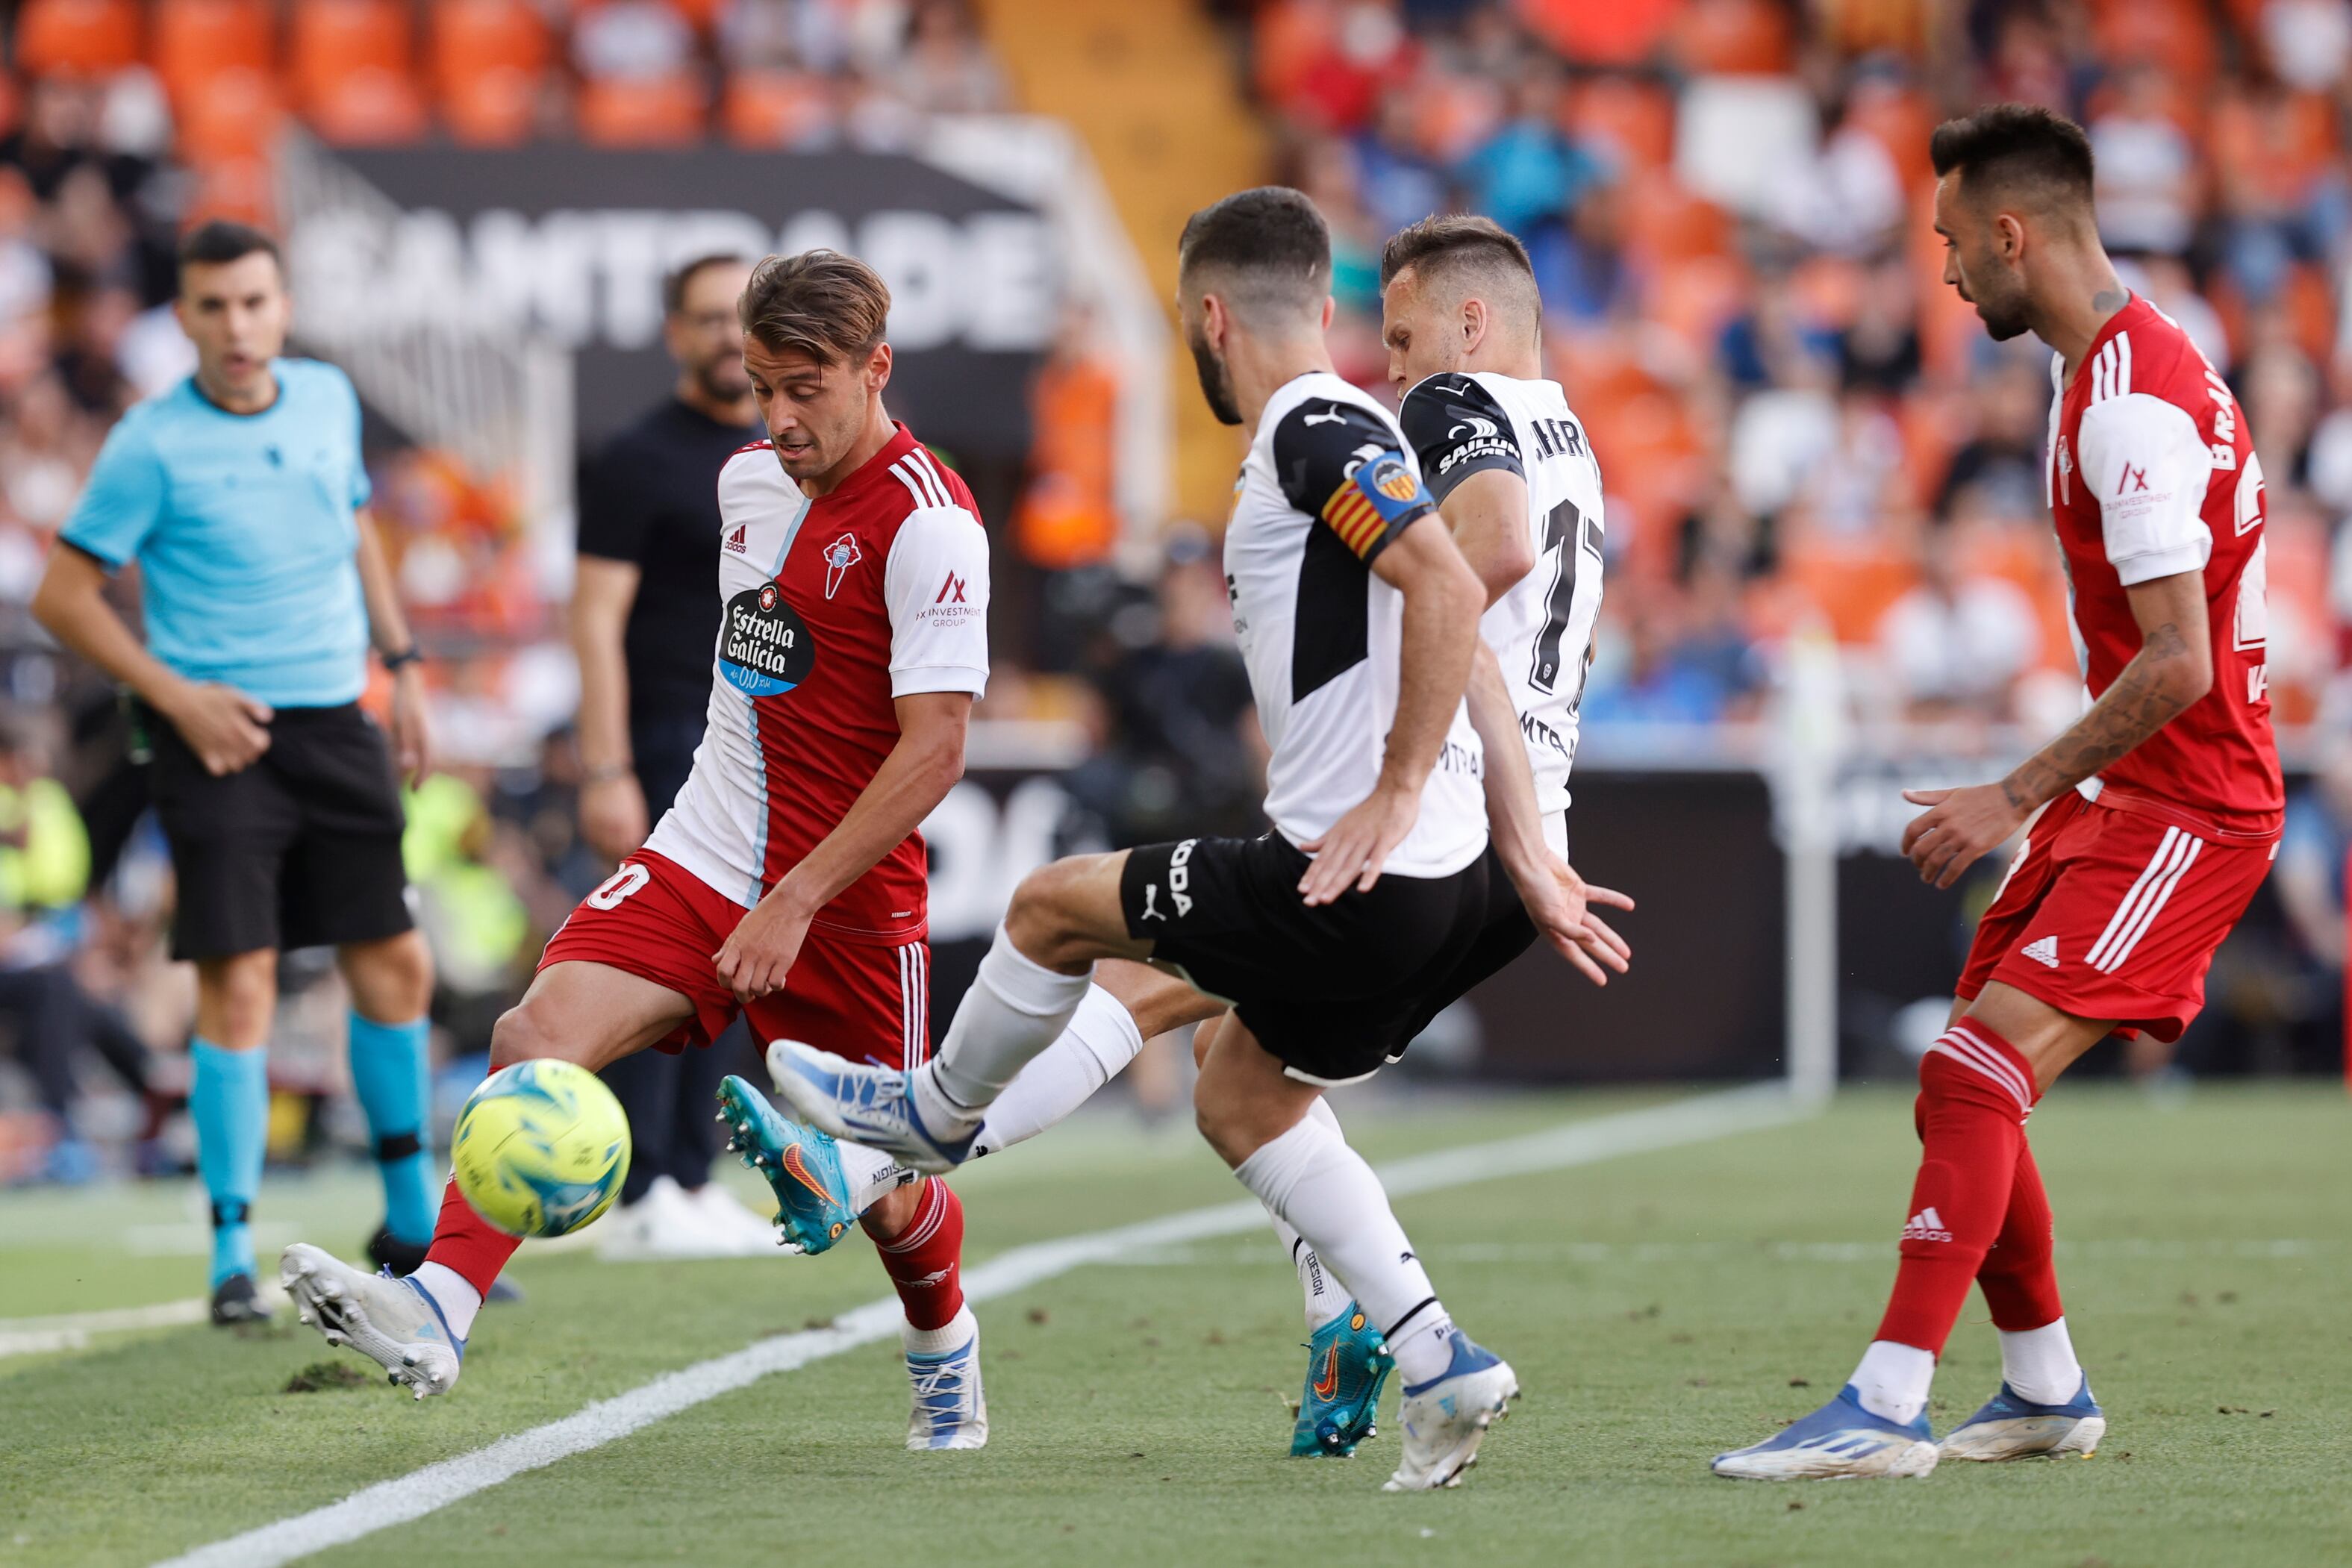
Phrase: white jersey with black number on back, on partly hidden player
(1542,631)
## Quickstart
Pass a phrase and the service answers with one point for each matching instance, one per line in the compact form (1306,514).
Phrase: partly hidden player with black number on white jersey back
(1521,492)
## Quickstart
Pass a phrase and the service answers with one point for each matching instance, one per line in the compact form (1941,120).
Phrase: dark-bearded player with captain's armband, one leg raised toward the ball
(1339,930)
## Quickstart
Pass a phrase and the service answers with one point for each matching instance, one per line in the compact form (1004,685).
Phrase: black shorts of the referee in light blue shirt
(300,850)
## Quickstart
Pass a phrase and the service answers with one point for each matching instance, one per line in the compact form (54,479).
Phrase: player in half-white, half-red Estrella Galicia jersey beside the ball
(789,878)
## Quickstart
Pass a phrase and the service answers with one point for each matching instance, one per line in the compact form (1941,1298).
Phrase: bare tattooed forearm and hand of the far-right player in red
(2172,671)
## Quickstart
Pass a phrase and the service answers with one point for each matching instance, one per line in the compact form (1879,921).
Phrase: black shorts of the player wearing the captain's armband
(1335,991)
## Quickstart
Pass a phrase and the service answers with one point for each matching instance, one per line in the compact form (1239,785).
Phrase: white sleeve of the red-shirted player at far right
(2149,469)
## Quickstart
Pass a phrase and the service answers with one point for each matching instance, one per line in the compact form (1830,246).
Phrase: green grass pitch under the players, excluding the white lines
(1659,1308)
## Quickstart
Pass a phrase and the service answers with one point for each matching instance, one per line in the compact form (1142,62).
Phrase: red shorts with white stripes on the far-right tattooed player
(2116,916)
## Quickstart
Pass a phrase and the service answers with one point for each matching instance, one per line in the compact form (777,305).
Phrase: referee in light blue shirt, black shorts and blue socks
(243,502)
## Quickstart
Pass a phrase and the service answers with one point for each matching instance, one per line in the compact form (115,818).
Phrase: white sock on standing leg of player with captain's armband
(1325,1191)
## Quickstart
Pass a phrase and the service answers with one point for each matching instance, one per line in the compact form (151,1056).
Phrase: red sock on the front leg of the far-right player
(1975,1097)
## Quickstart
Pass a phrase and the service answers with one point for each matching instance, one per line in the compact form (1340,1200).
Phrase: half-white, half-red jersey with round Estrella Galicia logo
(834,608)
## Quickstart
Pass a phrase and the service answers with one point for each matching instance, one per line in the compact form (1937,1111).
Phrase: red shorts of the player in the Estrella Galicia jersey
(867,1000)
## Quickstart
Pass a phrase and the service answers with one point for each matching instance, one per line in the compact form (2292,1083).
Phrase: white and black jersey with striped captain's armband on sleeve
(1328,485)
